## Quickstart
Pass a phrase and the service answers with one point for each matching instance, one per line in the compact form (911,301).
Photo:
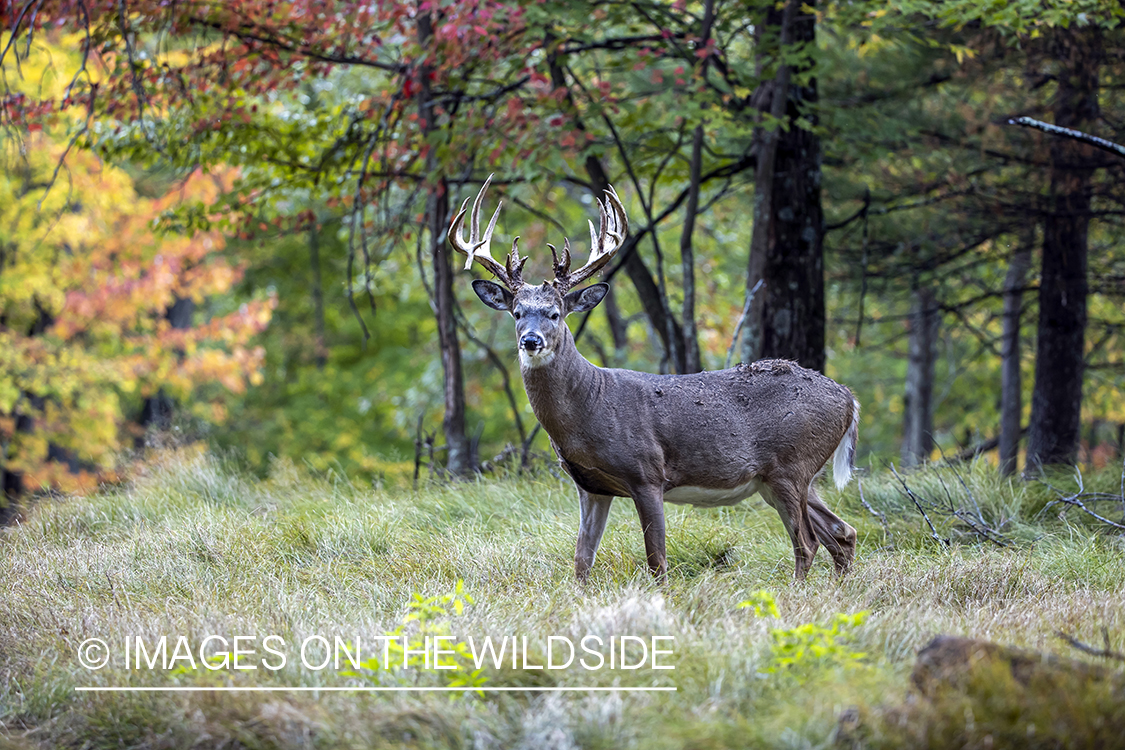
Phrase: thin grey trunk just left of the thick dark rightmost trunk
(1012,402)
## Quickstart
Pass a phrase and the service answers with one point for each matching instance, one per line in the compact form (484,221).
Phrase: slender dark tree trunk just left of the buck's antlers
(458,451)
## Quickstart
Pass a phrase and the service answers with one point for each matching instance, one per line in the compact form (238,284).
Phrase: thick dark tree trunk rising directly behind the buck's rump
(787,319)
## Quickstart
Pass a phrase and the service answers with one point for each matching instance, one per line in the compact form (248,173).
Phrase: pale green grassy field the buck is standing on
(194,548)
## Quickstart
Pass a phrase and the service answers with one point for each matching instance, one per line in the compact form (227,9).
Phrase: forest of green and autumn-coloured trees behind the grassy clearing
(229,221)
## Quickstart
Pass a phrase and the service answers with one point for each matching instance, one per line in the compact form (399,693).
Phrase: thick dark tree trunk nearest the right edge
(1057,401)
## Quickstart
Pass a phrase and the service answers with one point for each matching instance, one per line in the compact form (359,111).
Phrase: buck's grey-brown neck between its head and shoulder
(564,388)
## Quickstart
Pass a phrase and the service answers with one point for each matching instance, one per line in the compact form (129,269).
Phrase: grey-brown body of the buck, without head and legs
(714,429)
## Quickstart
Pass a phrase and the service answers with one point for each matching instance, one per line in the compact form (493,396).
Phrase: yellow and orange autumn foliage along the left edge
(86,283)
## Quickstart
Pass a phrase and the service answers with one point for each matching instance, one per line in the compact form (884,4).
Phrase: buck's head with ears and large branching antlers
(539,311)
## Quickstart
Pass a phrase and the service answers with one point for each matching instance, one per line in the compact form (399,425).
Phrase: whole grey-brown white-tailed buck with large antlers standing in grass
(708,439)
